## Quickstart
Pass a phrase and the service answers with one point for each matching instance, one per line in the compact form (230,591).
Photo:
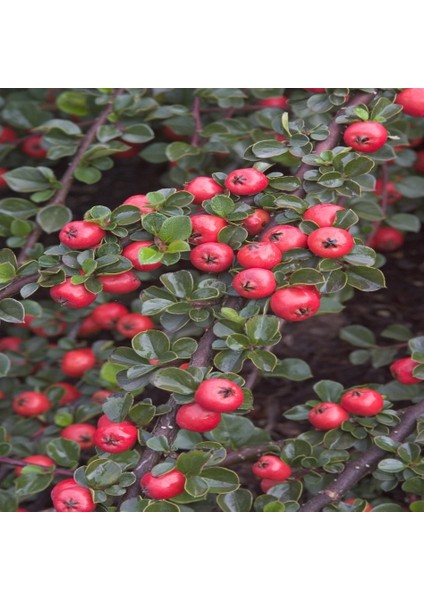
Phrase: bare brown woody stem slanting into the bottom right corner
(359,468)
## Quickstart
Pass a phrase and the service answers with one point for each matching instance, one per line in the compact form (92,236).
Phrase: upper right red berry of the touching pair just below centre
(219,395)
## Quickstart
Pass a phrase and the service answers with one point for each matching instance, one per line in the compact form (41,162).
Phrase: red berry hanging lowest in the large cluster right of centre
(296,303)
